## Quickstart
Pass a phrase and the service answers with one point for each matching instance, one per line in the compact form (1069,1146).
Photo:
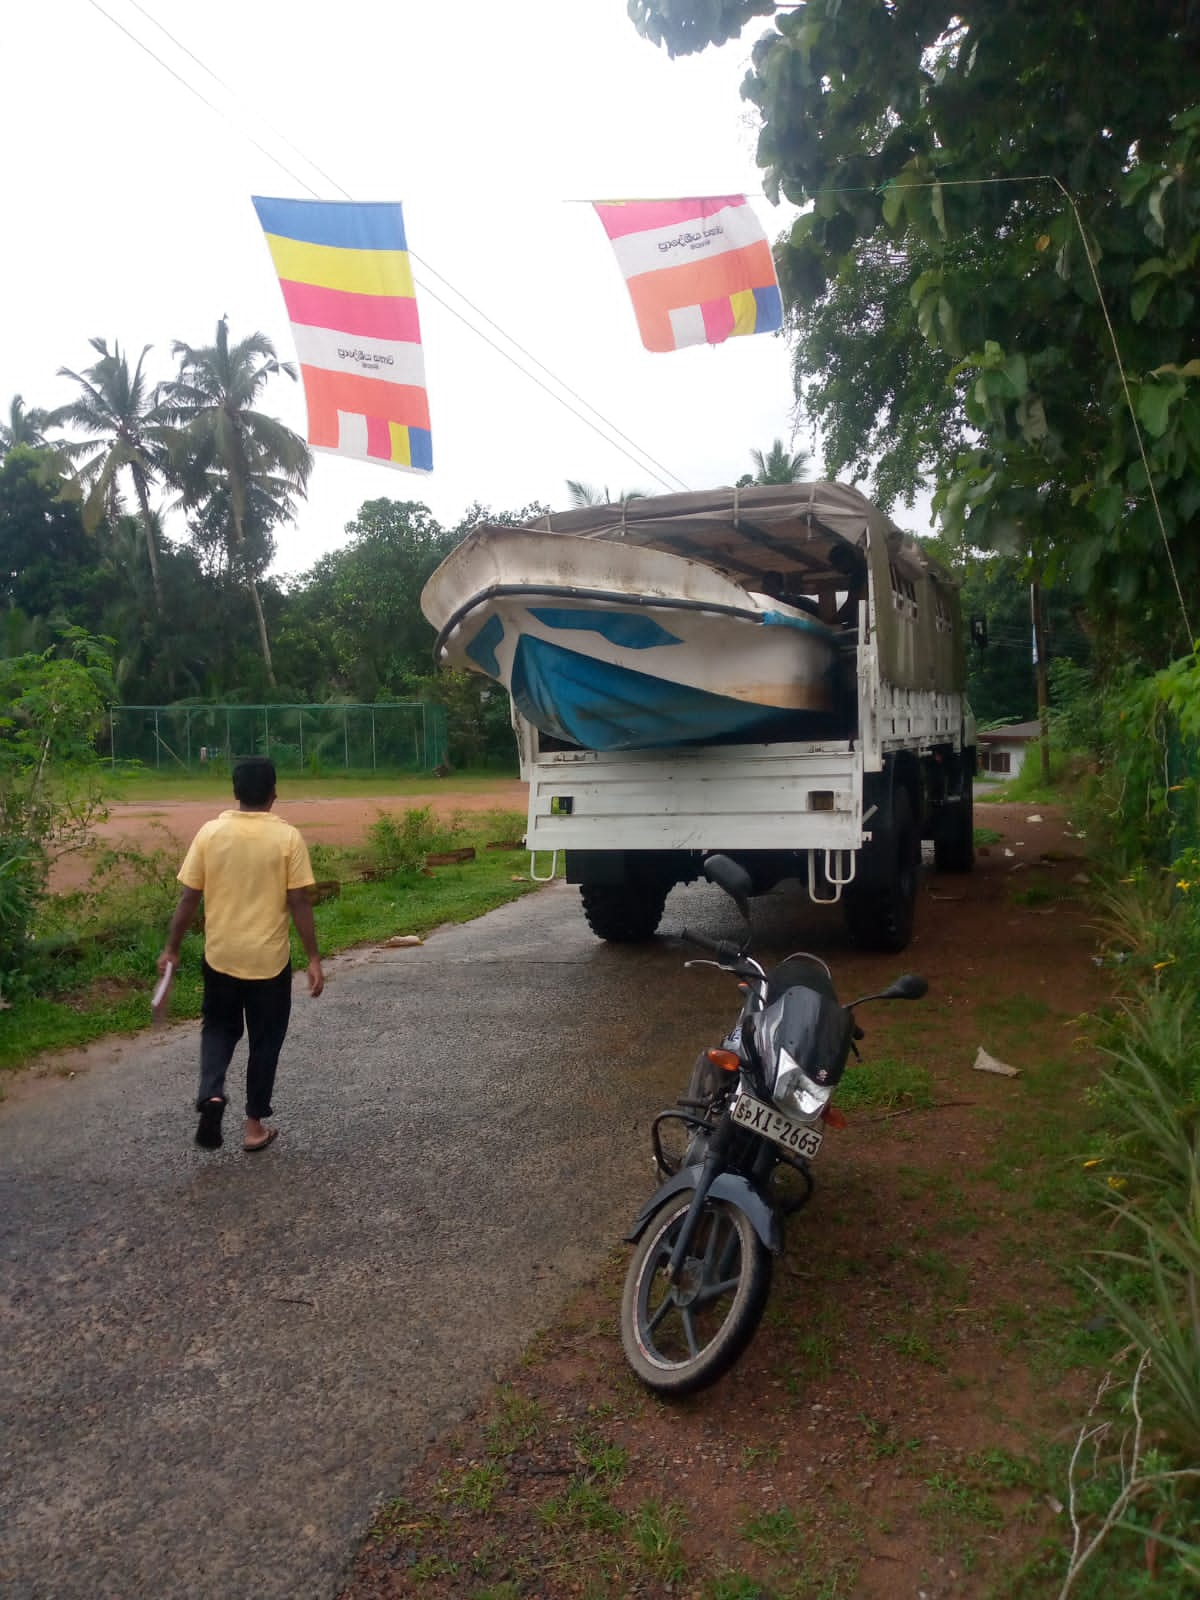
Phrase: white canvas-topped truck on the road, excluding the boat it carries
(889,764)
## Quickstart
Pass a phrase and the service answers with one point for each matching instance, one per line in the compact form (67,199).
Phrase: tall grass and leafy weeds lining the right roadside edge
(1137,1466)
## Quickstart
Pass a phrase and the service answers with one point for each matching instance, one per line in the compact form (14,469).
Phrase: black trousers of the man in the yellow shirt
(266,1006)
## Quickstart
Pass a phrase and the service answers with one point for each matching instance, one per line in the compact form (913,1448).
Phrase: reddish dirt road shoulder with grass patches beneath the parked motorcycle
(887,1433)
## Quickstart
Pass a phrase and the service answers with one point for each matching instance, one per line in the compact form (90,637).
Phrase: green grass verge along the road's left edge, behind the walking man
(78,998)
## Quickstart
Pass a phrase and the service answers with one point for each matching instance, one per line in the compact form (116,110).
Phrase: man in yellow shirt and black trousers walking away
(252,870)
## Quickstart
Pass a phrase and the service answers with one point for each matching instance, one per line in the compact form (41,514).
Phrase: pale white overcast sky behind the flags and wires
(129,215)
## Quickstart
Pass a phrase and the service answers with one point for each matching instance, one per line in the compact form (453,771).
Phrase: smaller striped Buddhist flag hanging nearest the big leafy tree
(698,271)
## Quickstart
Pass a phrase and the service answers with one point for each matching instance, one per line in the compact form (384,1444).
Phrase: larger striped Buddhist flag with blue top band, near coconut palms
(350,292)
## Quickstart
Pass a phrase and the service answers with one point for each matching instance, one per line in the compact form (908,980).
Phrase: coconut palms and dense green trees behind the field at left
(194,618)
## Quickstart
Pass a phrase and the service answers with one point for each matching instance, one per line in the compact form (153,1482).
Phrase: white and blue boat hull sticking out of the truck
(617,647)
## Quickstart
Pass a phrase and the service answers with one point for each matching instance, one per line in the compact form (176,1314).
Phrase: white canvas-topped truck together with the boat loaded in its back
(775,674)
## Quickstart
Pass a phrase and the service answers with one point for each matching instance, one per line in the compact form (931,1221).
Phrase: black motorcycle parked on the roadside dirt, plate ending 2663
(756,1110)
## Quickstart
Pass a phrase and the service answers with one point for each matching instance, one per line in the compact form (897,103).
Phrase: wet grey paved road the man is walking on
(215,1364)
